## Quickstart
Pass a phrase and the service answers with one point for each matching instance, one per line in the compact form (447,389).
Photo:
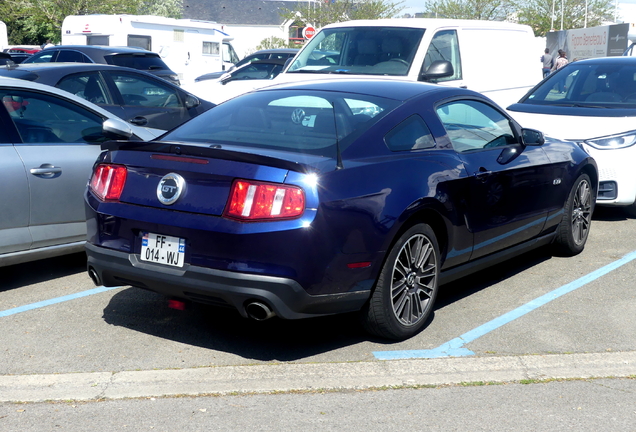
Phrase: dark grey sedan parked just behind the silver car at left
(135,96)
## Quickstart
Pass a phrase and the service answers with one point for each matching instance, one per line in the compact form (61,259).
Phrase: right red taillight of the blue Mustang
(251,200)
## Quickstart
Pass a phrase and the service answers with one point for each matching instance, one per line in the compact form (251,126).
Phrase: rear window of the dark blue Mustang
(292,120)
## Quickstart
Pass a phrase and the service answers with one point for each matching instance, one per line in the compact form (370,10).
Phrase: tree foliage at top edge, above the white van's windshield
(319,13)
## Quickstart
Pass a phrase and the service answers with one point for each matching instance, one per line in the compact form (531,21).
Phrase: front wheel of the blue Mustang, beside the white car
(574,228)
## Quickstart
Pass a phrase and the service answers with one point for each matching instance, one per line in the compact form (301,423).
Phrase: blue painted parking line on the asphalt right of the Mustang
(455,347)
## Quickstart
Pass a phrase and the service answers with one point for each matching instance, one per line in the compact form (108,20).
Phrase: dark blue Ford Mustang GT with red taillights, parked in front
(329,197)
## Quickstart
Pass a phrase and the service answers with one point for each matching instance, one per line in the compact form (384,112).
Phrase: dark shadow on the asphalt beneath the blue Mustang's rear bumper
(225,330)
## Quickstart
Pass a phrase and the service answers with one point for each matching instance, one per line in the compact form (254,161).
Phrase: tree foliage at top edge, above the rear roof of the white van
(491,10)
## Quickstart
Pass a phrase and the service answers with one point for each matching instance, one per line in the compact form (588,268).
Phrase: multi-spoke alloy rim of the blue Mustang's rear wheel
(413,281)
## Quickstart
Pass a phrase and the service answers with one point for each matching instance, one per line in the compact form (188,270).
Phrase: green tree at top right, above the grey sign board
(538,14)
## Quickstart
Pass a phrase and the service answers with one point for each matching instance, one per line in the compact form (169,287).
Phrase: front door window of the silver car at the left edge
(42,118)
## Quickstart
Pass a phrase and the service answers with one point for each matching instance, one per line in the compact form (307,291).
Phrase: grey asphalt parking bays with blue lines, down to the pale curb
(537,307)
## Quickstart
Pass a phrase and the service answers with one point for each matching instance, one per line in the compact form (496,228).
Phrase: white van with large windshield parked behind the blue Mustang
(498,59)
